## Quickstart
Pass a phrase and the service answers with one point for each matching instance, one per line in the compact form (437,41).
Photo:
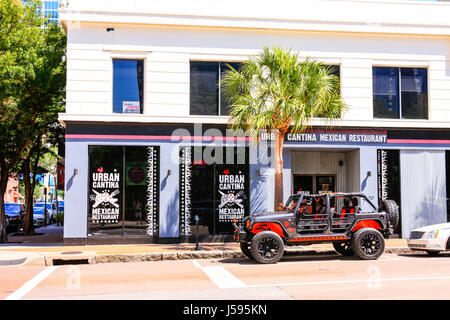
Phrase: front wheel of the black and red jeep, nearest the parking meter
(267,247)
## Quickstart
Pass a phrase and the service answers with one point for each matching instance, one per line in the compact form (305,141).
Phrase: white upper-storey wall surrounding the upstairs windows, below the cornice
(168,50)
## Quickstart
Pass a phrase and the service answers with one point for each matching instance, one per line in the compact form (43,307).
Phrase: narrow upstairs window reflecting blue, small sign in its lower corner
(128,86)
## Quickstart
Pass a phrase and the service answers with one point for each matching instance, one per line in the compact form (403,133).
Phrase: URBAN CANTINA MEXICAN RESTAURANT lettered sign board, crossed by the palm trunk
(333,136)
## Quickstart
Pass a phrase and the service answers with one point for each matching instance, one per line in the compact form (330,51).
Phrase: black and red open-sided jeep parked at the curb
(348,220)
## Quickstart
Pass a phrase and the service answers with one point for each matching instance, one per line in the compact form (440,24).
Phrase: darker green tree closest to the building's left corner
(46,92)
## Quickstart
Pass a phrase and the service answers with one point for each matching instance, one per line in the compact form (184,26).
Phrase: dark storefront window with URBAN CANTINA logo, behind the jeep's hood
(215,191)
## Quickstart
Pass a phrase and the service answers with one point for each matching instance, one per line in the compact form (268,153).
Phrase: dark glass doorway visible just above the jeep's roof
(314,184)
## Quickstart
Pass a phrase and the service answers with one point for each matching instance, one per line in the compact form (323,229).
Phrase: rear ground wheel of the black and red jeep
(368,243)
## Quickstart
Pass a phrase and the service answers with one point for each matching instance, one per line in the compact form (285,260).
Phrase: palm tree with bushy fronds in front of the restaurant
(278,93)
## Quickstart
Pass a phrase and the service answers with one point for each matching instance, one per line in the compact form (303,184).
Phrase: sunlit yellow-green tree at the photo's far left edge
(20,35)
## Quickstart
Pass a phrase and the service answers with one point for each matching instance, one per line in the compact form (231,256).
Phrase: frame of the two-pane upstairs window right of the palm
(399,67)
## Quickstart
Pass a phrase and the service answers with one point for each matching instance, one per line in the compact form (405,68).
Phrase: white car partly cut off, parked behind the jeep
(432,239)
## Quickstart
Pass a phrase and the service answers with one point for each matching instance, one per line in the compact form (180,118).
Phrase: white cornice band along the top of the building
(391,17)
